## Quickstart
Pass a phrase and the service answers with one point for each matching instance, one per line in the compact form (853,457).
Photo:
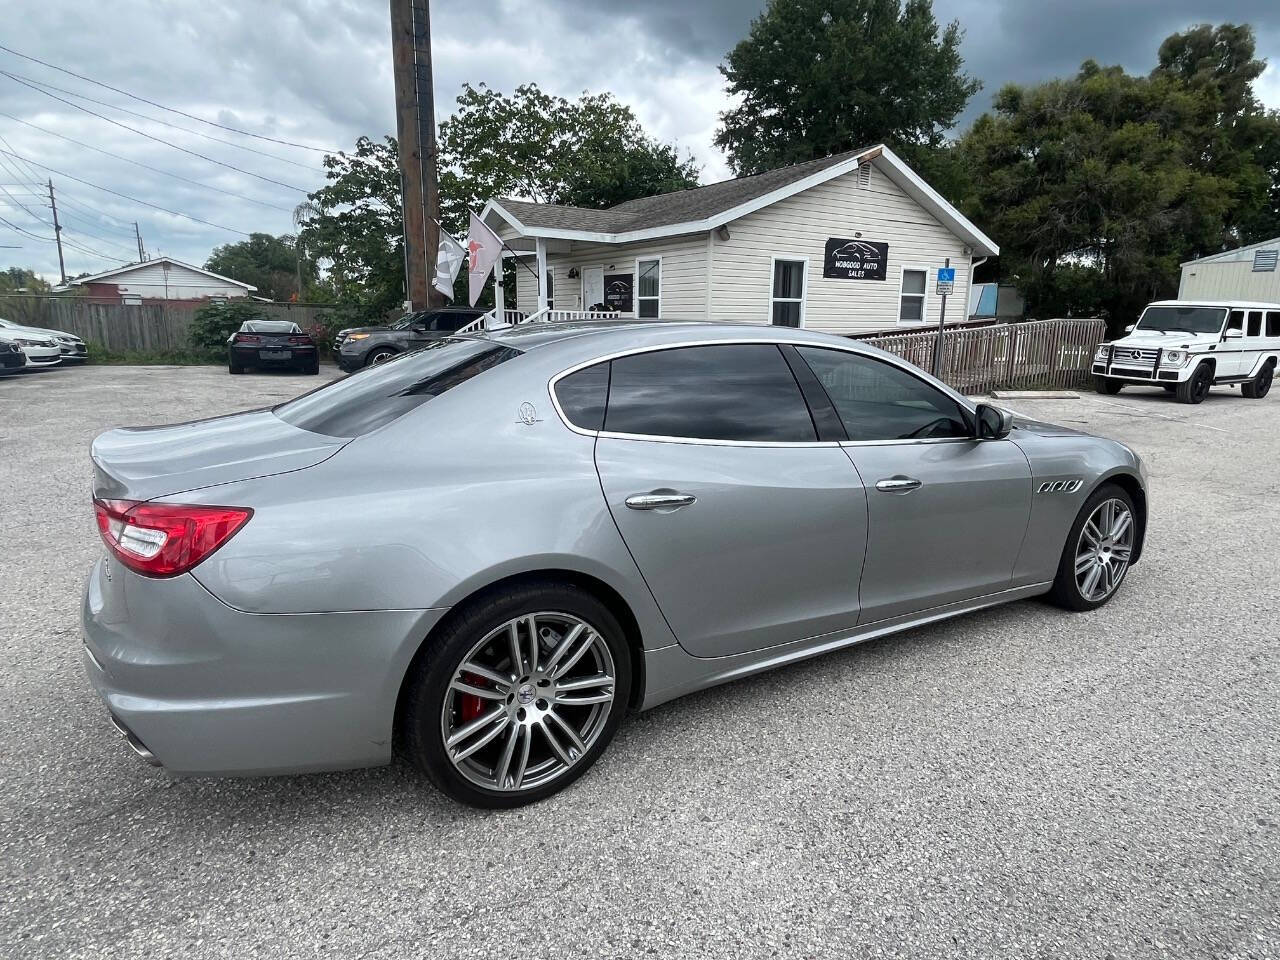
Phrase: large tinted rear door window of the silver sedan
(737,392)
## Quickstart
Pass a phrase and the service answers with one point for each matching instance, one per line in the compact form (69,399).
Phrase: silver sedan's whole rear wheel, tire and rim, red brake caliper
(518,697)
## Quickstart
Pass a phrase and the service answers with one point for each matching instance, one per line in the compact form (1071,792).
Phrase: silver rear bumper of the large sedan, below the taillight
(205,689)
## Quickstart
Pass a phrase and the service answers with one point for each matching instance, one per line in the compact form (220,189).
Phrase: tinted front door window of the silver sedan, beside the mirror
(879,401)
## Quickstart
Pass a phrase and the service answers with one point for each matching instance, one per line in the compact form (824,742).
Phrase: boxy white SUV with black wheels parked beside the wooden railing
(1190,346)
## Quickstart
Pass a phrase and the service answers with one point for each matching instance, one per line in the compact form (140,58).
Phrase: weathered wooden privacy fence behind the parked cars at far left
(150,328)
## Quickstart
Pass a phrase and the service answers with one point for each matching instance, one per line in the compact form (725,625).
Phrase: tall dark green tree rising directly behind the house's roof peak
(819,77)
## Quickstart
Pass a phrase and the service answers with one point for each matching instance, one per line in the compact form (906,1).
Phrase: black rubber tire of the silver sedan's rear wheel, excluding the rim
(420,738)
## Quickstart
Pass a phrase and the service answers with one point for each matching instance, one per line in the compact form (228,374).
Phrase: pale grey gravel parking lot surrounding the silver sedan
(1017,783)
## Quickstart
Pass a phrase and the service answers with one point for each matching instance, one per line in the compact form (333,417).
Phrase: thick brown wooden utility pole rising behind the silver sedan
(415,134)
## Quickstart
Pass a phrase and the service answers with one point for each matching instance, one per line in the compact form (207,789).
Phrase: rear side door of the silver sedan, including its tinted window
(749,532)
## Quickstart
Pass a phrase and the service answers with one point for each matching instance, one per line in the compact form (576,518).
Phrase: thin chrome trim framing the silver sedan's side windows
(707,442)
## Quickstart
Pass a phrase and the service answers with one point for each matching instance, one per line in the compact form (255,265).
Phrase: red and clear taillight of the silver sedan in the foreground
(166,540)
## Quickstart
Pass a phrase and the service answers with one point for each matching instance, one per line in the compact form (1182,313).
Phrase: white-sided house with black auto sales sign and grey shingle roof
(851,243)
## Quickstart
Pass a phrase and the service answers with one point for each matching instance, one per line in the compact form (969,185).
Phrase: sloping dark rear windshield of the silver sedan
(378,395)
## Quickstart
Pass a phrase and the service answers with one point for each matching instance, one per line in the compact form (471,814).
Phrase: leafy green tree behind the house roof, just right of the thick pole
(587,153)
